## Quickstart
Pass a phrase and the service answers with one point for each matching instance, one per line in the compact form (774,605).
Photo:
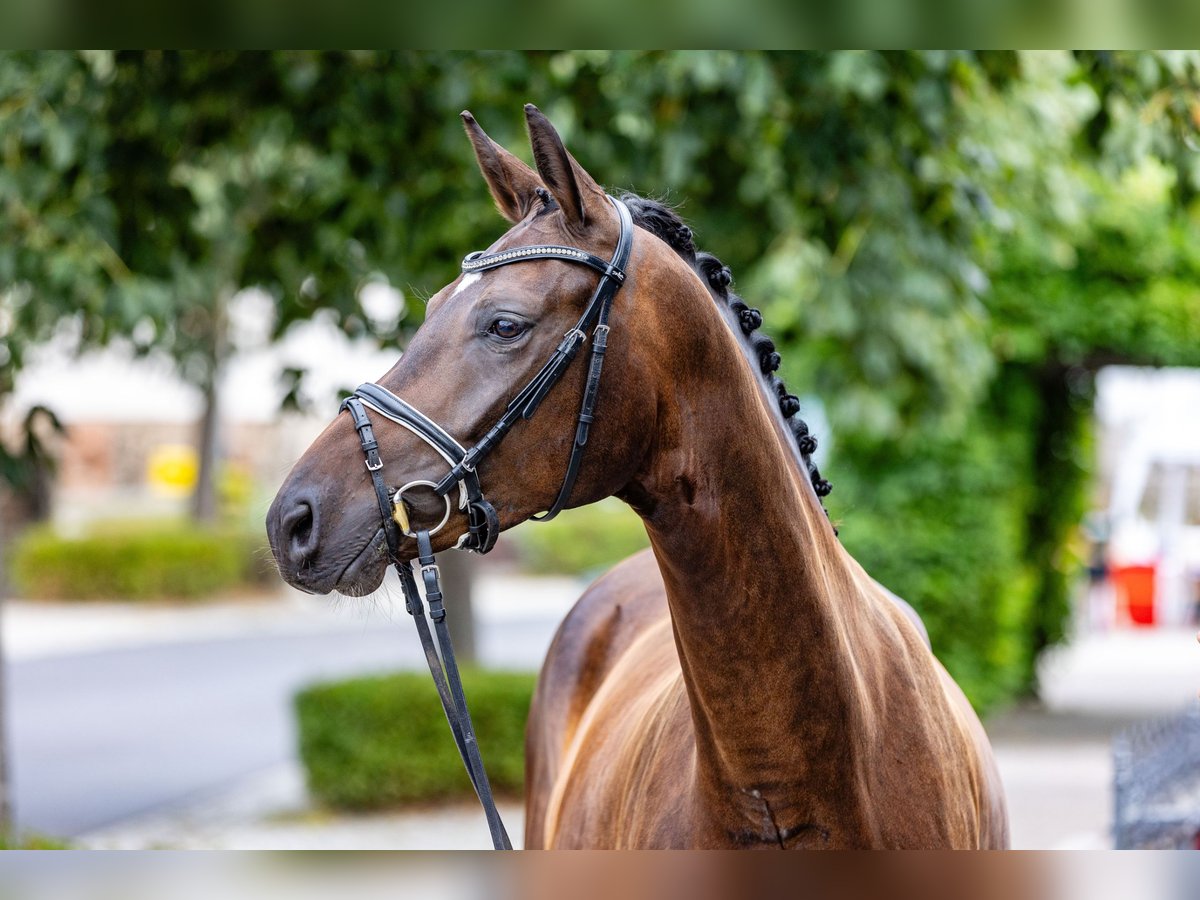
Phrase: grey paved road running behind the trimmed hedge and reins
(103,736)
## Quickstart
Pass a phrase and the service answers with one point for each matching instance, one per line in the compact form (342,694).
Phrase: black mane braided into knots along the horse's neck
(665,224)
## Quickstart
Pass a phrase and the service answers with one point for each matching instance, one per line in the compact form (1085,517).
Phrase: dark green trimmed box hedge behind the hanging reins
(375,743)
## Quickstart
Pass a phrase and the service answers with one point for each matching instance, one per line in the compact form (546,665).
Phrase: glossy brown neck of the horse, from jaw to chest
(766,605)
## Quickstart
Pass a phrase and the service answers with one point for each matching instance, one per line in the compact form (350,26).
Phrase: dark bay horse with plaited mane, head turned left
(743,683)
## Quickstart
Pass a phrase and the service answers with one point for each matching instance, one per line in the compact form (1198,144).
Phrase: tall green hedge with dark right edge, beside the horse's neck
(975,529)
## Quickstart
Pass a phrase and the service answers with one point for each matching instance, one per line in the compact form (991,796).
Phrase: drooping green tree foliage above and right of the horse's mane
(829,183)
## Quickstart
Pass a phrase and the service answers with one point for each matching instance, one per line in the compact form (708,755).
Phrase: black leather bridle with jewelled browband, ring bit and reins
(483,524)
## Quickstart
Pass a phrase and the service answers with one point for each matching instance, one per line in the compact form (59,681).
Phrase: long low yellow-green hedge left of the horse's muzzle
(136,562)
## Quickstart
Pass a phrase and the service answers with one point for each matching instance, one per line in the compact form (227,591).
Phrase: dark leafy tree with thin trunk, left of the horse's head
(218,187)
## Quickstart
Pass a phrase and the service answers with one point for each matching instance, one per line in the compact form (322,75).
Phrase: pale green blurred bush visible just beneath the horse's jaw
(583,542)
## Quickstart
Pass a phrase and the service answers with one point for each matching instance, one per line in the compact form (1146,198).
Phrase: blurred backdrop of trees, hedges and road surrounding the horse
(982,272)
